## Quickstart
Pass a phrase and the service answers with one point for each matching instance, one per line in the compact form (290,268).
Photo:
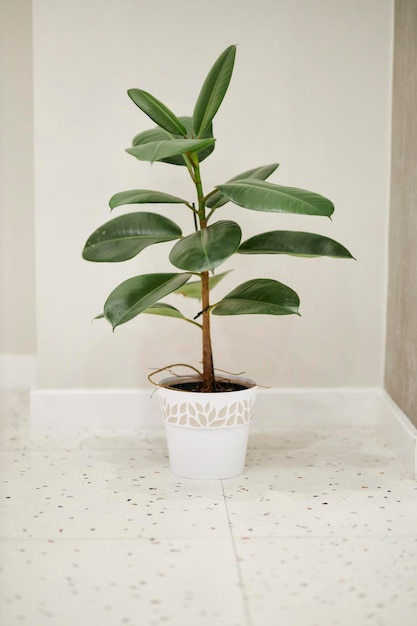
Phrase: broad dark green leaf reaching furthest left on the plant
(124,237)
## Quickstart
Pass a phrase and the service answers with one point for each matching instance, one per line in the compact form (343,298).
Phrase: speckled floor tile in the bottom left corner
(107,583)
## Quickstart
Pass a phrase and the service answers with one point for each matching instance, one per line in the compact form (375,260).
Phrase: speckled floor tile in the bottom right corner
(330,582)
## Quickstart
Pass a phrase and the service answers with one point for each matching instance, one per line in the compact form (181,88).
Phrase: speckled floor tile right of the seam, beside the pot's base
(321,492)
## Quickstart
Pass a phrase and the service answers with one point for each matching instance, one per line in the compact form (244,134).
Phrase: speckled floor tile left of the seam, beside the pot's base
(110,493)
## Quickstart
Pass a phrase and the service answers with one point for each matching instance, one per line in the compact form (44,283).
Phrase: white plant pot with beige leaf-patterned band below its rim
(207,433)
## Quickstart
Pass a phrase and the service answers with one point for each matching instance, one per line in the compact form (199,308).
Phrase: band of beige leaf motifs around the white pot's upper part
(206,414)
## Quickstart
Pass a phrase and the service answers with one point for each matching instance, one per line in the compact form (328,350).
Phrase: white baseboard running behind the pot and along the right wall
(282,408)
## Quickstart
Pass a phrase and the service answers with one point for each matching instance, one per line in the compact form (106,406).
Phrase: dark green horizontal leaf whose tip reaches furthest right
(294,243)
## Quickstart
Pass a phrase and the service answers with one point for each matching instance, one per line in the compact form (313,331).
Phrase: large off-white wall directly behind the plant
(311,89)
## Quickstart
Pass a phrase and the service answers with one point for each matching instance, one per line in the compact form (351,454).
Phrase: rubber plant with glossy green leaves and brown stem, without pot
(186,142)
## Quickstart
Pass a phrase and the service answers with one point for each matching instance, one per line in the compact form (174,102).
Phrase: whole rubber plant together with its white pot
(207,414)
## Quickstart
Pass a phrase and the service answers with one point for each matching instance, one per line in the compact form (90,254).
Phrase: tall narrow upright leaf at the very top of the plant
(213,91)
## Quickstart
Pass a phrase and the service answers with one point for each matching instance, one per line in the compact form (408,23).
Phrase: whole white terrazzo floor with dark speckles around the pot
(320,530)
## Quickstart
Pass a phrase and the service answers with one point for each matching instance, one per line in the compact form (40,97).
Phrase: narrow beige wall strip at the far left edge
(17,257)
